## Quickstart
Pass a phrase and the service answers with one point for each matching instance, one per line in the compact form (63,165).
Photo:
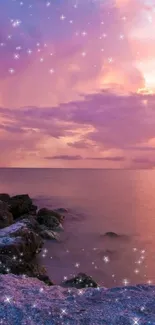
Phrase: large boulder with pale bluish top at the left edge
(19,240)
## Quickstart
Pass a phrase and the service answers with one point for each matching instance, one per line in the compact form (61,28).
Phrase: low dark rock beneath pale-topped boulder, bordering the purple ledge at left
(18,266)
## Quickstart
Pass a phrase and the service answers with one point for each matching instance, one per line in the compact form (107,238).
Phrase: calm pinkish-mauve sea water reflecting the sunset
(99,201)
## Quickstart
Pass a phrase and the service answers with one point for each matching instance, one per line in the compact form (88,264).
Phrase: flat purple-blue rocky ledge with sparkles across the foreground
(29,301)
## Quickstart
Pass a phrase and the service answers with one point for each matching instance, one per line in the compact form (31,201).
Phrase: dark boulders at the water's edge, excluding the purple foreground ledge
(23,229)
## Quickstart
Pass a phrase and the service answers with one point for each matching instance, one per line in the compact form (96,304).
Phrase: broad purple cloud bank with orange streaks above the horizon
(104,127)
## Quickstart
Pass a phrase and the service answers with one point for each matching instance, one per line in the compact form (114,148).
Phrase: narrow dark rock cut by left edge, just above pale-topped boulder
(6,217)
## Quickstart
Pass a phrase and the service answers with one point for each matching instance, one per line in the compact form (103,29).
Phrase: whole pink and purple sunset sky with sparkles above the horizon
(77,83)
